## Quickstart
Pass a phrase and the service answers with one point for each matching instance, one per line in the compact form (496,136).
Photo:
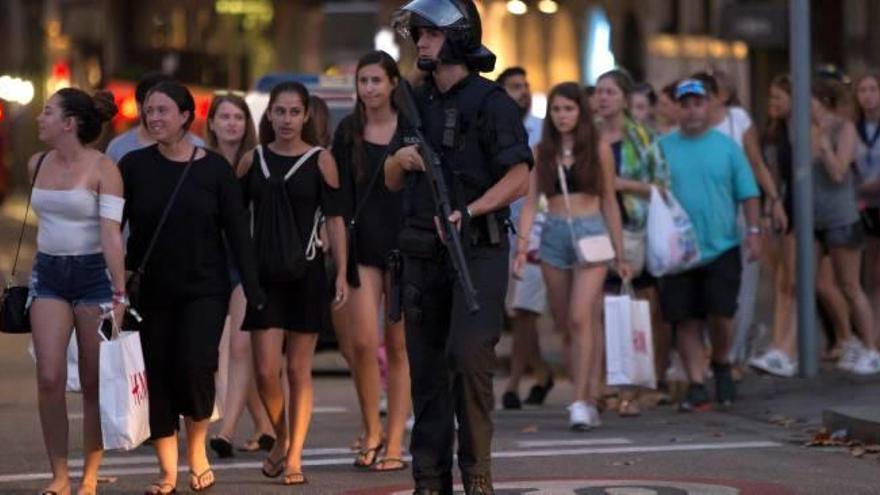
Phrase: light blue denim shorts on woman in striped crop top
(557,245)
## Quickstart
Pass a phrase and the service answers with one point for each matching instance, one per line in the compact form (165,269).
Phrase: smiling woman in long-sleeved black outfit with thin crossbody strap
(185,287)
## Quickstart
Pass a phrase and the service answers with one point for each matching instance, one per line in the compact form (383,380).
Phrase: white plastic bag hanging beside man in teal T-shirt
(672,244)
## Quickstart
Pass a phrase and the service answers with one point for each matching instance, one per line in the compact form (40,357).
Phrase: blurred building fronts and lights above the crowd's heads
(232,43)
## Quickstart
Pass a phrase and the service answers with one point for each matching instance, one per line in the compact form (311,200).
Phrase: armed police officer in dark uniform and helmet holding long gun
(475,143)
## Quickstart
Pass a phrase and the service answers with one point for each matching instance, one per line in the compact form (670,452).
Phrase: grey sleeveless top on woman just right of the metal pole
(834,203)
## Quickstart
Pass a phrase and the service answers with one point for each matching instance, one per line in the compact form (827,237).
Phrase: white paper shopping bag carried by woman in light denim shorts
(629,346)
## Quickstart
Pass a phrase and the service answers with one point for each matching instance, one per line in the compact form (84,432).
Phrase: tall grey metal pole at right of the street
(799,12)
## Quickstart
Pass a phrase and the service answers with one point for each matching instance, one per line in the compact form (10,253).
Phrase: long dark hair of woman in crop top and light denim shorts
(586,168)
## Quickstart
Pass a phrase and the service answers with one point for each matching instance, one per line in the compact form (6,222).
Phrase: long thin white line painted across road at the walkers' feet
(345,461)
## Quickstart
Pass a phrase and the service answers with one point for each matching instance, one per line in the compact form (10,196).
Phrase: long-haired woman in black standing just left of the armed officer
(360,146)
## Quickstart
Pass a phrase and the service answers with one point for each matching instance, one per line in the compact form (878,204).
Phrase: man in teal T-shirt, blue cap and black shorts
(710,177)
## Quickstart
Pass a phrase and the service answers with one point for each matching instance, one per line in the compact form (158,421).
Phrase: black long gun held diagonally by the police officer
(440,194)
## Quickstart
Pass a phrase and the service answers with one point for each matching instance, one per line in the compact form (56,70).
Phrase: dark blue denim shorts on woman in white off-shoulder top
(76,279)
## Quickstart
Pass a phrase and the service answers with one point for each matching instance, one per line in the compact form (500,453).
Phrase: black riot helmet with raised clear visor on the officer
(460,22)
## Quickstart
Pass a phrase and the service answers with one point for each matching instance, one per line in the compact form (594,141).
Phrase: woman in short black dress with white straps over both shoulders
(298,300)
